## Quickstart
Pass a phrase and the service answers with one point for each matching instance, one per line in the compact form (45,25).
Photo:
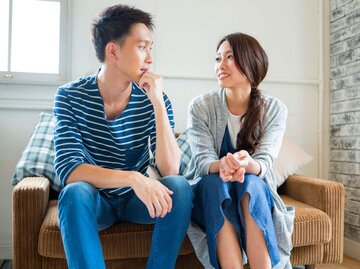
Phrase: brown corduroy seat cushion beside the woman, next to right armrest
(311,225)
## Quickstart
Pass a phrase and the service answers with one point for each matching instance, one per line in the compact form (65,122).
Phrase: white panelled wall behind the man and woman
(185,38)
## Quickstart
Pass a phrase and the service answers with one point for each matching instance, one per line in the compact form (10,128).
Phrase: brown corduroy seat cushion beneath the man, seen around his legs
(121,241)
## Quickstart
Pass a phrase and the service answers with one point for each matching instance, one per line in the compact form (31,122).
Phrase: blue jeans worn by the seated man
(83,211)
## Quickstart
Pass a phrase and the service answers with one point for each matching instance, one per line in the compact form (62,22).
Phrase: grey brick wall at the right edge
(345,107)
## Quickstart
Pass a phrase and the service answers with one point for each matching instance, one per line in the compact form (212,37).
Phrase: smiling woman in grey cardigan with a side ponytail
(235,135)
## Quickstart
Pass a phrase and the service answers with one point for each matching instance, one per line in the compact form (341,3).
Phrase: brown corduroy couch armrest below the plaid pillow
(30,198)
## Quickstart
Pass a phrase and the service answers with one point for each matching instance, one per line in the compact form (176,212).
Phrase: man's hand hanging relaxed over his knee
(154,195)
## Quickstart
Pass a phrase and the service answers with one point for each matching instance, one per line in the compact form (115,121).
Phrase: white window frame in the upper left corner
(10,77)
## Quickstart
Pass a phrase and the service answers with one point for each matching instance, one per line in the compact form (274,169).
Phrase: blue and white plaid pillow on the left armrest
(38,157)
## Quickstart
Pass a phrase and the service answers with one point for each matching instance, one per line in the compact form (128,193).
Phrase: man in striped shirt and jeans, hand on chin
(105,125)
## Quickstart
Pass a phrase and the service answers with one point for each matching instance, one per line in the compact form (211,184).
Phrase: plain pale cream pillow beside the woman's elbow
(291,158)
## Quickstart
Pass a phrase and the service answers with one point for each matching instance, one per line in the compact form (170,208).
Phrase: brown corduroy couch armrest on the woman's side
(327,196)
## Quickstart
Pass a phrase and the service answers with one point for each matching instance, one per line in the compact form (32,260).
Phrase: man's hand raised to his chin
(153,86)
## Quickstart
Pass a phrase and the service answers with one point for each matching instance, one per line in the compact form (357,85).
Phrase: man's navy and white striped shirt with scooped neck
(83,134)
